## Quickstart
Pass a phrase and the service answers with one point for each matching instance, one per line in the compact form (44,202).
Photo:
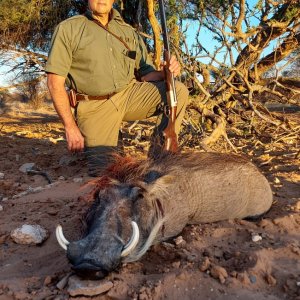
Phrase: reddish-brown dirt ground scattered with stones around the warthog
(207,261)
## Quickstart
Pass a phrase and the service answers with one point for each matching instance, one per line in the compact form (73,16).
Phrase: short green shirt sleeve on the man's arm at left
(60,54)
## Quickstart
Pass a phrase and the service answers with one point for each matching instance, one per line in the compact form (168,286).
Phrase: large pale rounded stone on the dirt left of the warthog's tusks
(29,234)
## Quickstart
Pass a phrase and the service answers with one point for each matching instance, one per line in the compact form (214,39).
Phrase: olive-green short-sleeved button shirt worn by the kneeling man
(97,61)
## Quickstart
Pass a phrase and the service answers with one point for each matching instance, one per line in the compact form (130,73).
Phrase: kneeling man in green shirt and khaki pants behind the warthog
(98,59)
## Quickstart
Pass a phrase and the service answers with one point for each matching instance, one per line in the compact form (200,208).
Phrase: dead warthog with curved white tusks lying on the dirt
(154,200)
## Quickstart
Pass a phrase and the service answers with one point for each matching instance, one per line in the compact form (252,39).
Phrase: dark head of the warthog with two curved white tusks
(113,234)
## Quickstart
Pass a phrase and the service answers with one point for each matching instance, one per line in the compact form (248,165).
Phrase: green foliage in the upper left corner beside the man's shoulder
(29,23)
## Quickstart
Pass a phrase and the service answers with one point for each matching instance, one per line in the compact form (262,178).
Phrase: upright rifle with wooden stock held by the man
(170,141)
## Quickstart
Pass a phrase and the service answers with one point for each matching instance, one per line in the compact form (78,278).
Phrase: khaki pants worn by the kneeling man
(99,121)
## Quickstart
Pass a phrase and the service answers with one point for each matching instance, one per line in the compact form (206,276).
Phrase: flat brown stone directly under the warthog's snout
(89,288)
